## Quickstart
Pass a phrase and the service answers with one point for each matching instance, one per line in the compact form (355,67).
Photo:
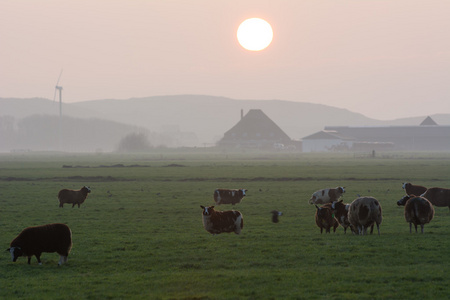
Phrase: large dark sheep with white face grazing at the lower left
(46,238)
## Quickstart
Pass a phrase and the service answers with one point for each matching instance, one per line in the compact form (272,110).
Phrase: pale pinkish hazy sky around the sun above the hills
(384,59)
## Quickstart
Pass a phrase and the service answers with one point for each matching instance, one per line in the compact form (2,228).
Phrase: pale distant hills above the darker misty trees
(205,117)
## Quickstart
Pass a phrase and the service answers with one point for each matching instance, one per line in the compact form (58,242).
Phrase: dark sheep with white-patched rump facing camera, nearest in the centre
(216,222)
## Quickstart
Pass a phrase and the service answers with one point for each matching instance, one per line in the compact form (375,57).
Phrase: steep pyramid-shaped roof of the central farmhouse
(255,126)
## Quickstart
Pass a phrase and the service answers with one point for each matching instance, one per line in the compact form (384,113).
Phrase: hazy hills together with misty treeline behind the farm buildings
(166,121)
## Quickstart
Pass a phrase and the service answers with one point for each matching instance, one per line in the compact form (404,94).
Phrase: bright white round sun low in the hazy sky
(254,34)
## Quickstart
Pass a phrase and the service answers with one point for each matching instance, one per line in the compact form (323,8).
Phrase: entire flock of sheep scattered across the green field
(360,215)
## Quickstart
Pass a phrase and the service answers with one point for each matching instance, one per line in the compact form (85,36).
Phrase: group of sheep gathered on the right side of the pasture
(365,212)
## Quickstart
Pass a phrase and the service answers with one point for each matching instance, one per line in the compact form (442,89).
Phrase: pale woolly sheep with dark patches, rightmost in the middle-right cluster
(365,212)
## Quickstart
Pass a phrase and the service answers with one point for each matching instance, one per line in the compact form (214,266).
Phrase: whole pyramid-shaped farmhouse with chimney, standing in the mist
(255,130)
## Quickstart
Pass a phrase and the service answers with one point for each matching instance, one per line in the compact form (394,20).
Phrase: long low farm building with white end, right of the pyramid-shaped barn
(428,136)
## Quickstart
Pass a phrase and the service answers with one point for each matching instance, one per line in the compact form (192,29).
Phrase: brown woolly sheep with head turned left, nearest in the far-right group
(418,211)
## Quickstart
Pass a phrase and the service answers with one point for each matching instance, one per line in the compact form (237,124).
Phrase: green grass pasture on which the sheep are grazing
(139,235)
